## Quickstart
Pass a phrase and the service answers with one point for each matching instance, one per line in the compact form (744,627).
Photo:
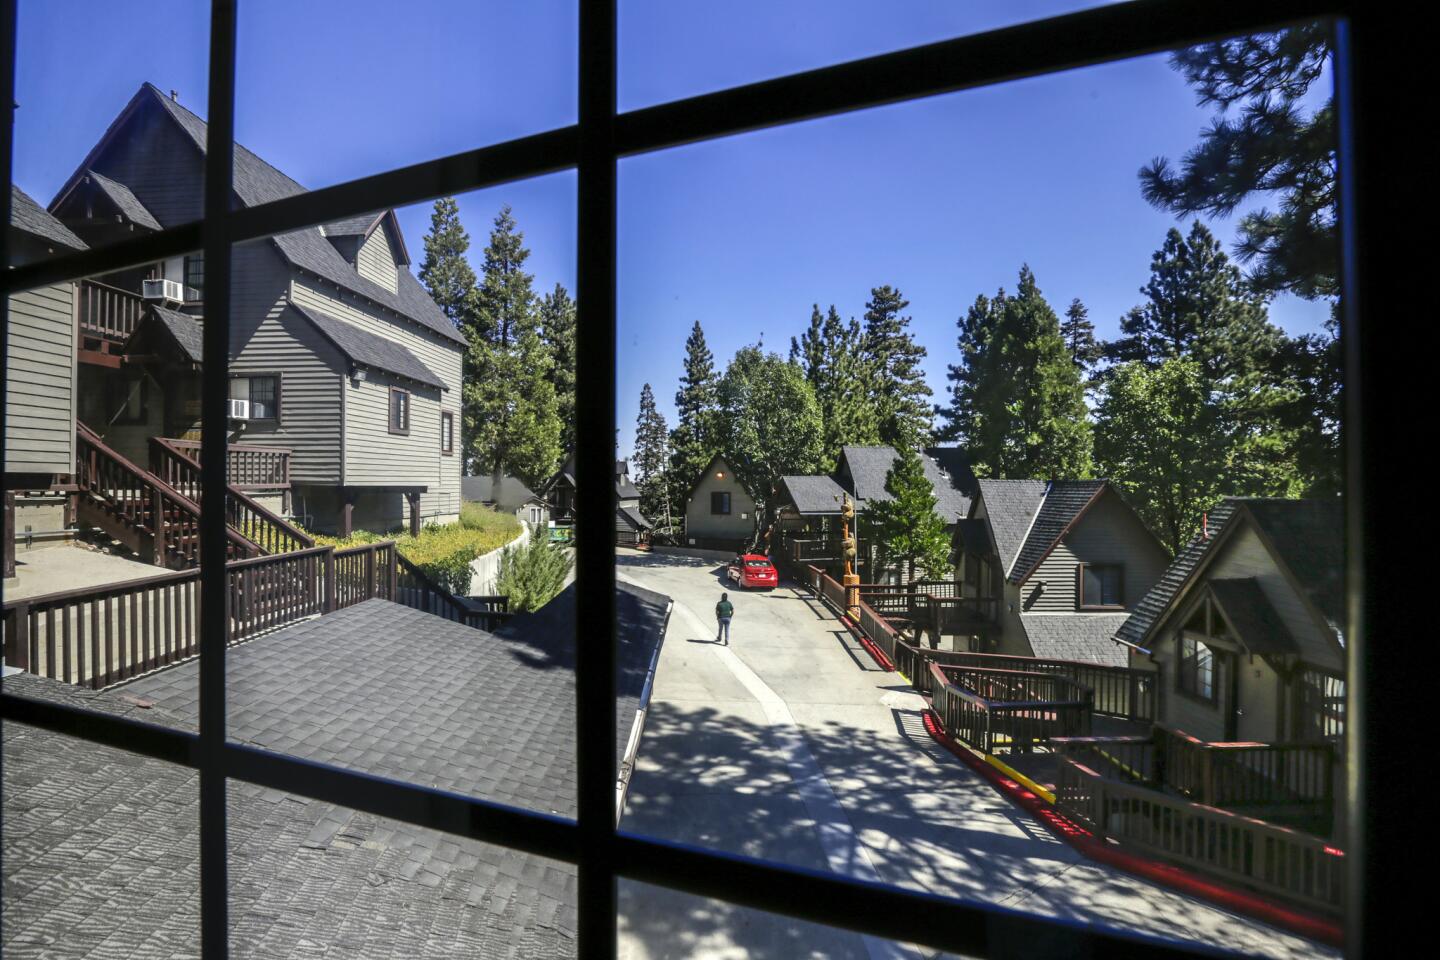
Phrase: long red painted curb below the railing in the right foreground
(1176,879)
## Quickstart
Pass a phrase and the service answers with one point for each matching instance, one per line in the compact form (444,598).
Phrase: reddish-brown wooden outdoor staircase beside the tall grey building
(161,523)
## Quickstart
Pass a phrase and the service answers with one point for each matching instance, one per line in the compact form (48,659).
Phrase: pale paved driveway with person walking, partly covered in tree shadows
(794,746)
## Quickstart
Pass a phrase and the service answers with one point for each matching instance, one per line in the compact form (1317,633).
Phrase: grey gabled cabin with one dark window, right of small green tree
(1055,568)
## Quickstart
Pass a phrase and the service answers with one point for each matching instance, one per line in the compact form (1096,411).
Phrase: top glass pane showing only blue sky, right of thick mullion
(670,51)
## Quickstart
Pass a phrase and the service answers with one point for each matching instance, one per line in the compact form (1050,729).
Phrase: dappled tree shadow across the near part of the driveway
(919,818)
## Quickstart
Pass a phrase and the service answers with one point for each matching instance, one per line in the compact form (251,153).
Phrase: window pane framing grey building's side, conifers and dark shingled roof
(381,633)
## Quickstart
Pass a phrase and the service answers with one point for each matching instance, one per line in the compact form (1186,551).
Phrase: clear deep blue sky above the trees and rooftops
(942,198)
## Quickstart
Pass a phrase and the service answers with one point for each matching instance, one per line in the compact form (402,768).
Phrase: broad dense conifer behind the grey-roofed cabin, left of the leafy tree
(1017,399)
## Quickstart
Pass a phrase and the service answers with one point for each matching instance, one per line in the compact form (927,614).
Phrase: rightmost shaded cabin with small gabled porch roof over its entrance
(1246,628)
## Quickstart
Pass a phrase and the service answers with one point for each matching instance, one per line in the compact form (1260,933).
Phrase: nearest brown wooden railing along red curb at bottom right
(1235,848)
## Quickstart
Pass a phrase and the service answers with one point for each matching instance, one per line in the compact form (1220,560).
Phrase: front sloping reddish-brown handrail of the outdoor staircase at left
(172,519)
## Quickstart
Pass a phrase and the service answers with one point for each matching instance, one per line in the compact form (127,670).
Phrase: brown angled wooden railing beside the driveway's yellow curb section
(1010,712)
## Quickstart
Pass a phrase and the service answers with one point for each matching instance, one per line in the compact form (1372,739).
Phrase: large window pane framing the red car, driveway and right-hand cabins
(810,327)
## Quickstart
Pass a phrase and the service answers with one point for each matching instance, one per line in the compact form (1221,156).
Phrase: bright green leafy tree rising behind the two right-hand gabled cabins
(1160,438)
